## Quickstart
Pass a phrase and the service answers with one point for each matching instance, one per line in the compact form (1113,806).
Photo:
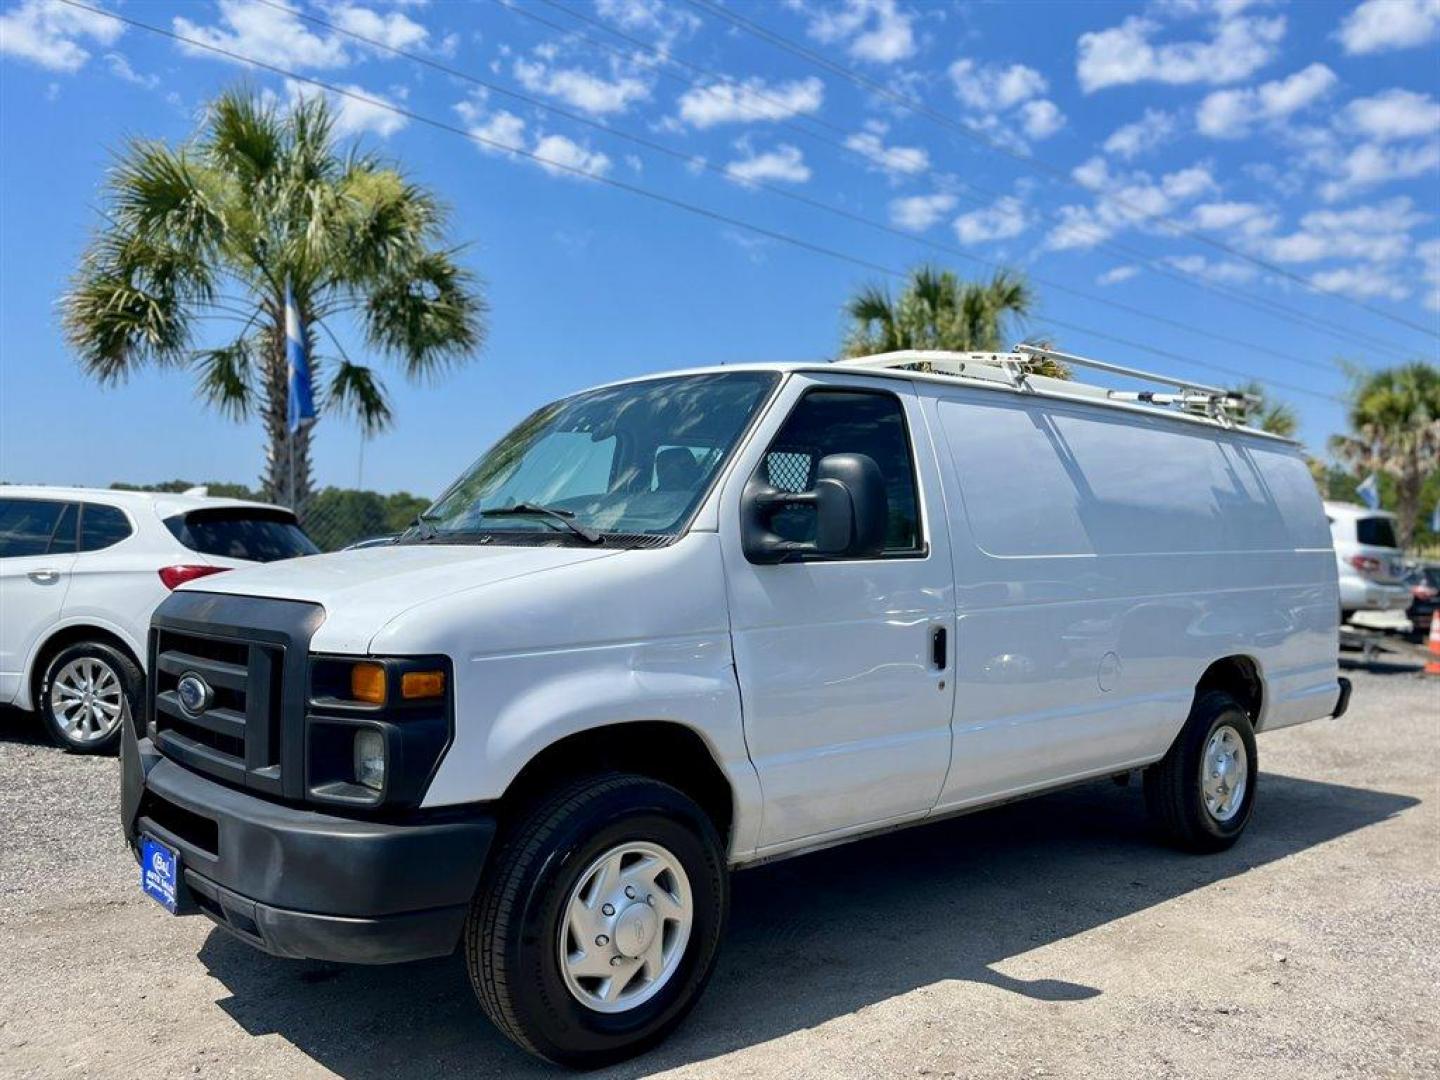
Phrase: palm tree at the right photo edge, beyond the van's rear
(1395,418)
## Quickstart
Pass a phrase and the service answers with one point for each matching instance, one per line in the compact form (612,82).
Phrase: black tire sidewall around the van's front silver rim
(572,1033)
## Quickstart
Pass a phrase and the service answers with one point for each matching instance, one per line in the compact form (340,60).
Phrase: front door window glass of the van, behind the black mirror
(826,423)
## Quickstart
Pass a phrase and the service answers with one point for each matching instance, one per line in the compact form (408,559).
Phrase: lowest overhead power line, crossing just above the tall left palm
(620,185)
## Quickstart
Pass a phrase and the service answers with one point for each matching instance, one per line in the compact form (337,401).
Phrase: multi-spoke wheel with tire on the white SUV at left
(89,692)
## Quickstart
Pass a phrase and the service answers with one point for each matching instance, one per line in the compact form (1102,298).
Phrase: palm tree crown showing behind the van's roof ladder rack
(937,310)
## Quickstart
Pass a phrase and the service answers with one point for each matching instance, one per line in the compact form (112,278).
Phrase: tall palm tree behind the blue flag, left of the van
(212,233)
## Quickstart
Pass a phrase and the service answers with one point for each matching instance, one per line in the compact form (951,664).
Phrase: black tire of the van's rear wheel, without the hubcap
(1174,793)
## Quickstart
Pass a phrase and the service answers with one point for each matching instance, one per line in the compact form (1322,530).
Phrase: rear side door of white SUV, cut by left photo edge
(37,555)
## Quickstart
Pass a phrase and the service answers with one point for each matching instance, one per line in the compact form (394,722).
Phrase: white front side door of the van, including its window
(845,665)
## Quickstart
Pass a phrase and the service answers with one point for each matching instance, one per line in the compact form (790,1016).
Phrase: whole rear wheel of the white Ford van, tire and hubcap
(1202,794)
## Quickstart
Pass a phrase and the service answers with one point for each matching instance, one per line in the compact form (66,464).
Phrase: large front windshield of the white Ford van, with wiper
(627,460)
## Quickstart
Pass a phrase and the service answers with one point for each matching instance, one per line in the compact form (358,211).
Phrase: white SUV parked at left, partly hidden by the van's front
(83,570)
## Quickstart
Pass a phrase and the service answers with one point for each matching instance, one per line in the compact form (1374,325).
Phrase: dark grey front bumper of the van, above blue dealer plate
(300,883)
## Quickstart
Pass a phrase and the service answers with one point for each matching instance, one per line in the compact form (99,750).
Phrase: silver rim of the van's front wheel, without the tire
(626,927)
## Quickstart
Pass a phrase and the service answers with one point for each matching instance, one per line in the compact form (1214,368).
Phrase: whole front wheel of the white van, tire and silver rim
(598,925)
